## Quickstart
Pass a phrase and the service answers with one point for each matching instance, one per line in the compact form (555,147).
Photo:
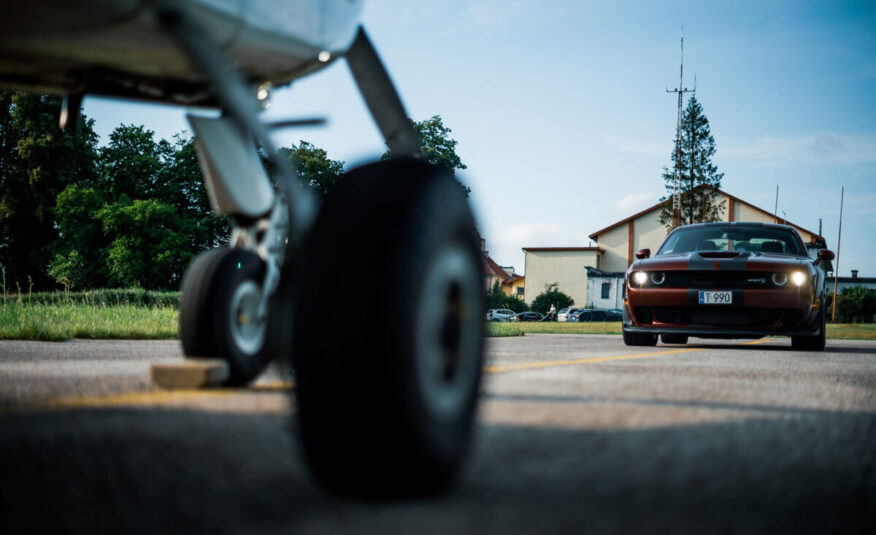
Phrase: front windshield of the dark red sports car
(722,238)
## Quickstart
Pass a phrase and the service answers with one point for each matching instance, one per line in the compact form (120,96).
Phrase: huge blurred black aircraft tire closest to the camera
(377,416)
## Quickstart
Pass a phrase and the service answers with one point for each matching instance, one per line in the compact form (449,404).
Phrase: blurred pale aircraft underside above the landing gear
(117,48)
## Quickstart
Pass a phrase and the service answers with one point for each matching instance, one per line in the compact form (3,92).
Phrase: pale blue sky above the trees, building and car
(562,117)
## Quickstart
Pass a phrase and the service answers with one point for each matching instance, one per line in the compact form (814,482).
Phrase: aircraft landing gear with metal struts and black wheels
(379,306)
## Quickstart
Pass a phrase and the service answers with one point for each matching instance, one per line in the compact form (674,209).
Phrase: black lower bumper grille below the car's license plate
(723,317)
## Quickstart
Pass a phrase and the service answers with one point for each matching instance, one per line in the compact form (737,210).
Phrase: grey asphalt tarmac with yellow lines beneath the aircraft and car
(578,434)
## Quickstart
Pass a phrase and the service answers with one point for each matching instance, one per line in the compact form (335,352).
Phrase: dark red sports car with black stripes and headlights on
(727,280)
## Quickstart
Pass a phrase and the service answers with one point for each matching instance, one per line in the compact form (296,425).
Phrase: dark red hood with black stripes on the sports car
(721,260)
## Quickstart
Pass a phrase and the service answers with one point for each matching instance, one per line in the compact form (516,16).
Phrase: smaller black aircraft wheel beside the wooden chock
(205,318)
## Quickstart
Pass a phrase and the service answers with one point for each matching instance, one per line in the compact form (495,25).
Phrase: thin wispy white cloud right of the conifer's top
(812,149)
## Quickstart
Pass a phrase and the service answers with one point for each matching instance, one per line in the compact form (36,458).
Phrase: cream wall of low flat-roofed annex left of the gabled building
(567,268)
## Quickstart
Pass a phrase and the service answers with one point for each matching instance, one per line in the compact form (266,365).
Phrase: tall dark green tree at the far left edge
(37,161)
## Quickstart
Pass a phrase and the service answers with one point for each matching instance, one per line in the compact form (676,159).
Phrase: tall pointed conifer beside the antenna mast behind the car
(699,177)
